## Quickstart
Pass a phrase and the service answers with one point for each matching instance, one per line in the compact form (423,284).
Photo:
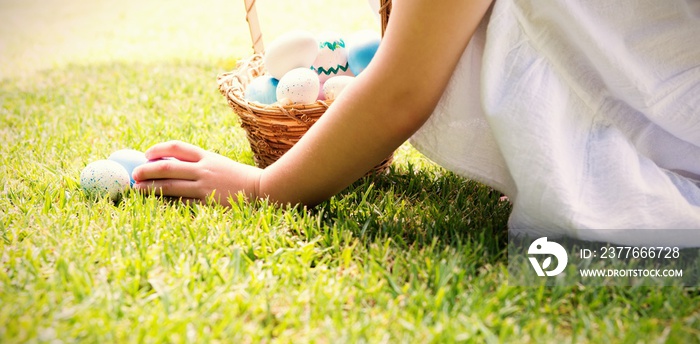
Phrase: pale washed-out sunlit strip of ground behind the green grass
(36,35)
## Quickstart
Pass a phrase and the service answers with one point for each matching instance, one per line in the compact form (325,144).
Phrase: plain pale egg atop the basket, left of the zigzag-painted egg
(291,50)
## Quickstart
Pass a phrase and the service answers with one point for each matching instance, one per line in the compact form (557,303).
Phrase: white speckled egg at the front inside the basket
(299,86)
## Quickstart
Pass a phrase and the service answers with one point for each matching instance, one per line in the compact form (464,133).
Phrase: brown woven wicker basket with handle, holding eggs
(273,129)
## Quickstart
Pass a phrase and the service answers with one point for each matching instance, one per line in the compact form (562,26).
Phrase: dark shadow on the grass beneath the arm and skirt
(421,208)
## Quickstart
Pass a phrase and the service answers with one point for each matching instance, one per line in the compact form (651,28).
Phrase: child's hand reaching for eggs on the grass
(195,174)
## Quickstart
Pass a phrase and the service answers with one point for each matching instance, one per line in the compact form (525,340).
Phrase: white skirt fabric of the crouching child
(585,113)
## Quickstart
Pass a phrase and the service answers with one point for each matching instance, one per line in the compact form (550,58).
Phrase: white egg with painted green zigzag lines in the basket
(332,58)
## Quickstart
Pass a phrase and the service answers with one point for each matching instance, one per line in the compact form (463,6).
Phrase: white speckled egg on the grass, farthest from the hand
(104,178)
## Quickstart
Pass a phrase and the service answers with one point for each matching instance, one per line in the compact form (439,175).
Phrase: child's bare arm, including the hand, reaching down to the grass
(381,109)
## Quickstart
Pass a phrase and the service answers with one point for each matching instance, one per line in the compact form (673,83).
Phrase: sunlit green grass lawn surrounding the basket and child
(417,255)
